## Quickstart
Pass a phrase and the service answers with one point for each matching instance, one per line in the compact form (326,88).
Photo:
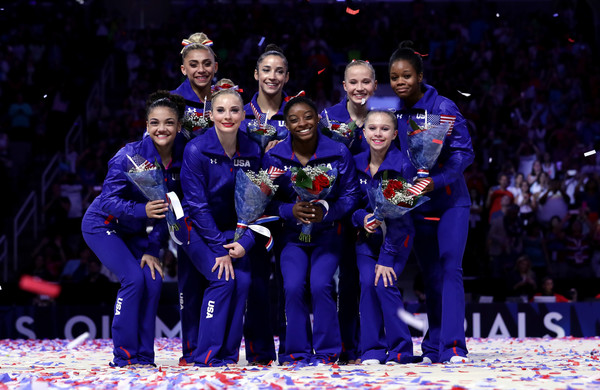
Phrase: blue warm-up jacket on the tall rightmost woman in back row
(450,189)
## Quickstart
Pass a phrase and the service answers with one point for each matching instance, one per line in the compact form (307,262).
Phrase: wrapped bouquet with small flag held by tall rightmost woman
(425,142)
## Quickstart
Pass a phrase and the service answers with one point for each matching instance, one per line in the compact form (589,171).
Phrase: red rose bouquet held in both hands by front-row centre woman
(312,184)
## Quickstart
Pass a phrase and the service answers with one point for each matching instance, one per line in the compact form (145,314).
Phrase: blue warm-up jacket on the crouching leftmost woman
(122,207)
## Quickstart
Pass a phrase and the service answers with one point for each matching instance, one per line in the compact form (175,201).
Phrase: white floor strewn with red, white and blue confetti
(499,363)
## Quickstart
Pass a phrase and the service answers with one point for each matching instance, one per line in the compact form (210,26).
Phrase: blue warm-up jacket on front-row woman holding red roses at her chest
(342,199)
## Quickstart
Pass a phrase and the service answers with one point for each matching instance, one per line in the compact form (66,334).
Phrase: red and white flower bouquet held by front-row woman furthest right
(392,198)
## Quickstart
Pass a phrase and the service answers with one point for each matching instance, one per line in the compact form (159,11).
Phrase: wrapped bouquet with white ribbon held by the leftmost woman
(150,181)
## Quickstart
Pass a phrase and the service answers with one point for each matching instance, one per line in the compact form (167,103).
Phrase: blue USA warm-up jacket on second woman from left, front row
(208,183)
